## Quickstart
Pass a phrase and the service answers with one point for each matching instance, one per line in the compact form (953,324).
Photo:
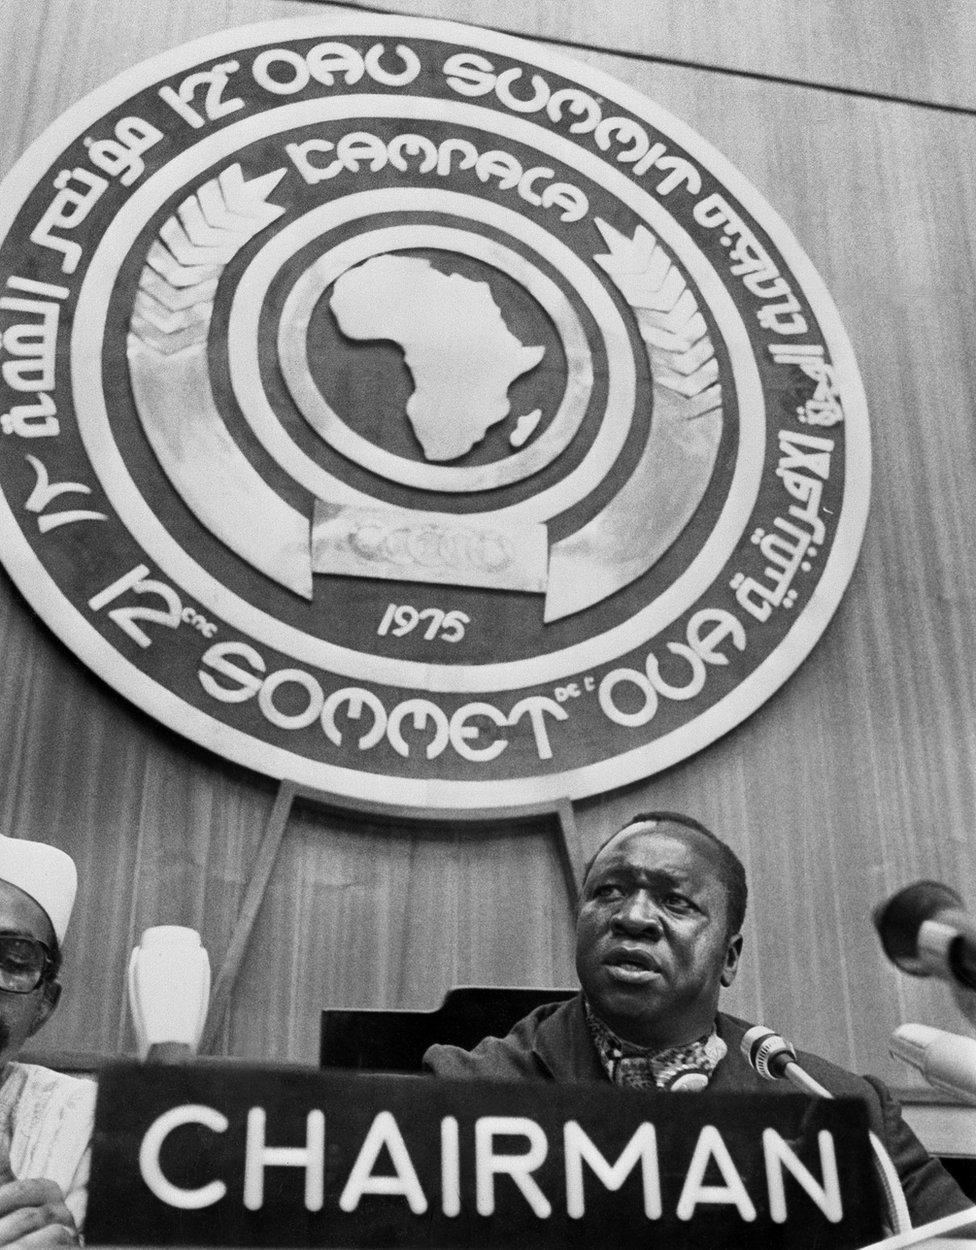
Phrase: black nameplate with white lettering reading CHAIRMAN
(221,1154)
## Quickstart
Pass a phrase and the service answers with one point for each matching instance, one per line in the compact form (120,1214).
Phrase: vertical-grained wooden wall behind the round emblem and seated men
(855,779)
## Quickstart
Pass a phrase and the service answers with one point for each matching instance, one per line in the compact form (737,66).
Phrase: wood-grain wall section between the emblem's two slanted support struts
(367,916)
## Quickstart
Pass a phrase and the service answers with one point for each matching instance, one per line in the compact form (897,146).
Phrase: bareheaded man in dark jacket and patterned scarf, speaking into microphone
(658,937)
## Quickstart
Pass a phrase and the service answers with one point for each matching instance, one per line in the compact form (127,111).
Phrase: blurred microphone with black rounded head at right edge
(925,932)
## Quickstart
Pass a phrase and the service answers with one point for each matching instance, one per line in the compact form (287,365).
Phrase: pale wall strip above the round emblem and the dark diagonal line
(889,47)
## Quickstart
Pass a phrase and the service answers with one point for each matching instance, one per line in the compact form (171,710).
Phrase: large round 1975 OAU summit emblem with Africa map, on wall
(404,411)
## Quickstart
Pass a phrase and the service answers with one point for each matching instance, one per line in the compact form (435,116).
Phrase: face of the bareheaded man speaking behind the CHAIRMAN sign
(652,946)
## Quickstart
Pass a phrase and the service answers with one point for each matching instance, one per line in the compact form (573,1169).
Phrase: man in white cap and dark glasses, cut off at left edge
(46,1117)
